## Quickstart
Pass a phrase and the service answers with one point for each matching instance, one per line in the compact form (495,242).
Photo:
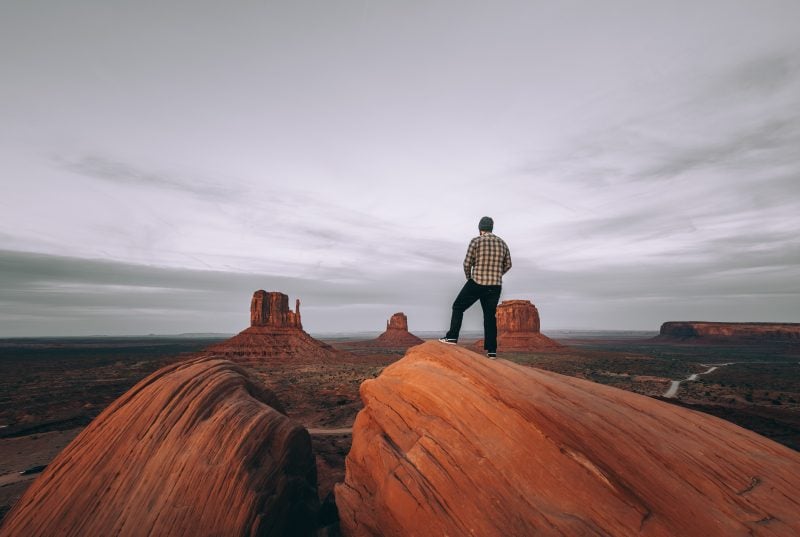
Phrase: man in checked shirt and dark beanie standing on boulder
(487,260)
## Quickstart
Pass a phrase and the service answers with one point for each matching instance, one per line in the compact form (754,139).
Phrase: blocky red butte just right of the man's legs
(518,328)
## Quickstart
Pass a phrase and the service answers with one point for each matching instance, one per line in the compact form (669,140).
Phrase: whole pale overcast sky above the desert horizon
(163,160)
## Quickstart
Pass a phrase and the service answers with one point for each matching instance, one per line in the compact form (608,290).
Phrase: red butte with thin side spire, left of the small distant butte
(275,332)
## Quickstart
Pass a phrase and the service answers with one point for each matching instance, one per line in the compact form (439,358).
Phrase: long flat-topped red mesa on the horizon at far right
(732,332)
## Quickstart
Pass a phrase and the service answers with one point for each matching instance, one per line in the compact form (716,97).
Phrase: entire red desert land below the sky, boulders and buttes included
(274,432)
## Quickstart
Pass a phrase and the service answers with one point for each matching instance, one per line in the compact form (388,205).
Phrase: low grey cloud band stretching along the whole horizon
(47,295)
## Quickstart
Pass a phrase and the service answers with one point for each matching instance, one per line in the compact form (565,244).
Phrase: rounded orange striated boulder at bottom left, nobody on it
(197,448)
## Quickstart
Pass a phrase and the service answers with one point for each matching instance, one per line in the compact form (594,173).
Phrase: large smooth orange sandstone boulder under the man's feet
(451,443)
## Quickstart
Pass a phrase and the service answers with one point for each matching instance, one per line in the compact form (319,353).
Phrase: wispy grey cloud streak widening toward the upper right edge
(715,107)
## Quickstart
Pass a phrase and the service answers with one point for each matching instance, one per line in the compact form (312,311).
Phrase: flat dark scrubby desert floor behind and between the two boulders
(50,389)
